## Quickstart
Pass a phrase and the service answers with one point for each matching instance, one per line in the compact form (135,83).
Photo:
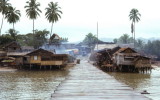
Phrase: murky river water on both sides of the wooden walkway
(39,85)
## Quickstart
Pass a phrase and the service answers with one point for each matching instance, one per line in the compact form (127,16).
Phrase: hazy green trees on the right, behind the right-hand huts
(150,48)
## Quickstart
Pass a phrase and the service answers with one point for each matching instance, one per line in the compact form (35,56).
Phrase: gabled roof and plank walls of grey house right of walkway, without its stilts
(125,56)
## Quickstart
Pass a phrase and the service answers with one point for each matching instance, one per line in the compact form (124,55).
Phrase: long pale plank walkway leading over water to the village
(86,82)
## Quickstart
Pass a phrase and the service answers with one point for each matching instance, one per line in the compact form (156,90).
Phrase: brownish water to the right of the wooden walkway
(140,82)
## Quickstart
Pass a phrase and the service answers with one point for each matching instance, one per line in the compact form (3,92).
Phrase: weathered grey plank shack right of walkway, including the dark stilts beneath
(124,59)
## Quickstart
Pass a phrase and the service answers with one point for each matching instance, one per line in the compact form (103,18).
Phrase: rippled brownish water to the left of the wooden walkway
(26,85)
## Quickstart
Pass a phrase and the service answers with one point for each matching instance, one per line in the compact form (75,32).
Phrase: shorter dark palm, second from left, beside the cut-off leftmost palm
(12,15)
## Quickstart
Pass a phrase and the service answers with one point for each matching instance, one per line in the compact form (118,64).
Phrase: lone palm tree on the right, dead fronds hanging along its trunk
(135,17)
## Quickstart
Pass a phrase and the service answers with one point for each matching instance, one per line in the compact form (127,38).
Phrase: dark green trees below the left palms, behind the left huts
(36,40)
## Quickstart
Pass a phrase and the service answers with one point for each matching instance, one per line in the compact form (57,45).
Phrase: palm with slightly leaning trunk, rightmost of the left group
(53,13)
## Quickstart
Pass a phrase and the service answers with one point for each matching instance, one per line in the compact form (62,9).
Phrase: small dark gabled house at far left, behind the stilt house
(12,47)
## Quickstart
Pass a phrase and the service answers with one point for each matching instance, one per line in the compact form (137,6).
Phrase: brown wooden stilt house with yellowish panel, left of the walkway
(44,58)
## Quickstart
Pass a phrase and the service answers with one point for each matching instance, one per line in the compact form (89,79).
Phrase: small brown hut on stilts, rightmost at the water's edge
(143,64)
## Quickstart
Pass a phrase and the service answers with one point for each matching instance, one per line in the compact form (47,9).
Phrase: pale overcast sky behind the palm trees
(80,17)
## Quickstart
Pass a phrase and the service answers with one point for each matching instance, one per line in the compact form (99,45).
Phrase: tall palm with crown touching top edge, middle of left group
(32,10)
